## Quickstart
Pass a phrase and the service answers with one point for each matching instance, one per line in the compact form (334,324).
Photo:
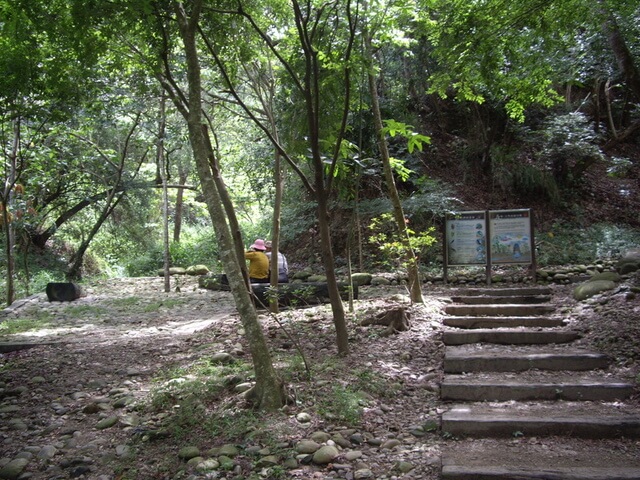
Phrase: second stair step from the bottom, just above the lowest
(574,419)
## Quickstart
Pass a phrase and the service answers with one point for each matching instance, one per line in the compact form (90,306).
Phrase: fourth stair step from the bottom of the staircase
(489,358)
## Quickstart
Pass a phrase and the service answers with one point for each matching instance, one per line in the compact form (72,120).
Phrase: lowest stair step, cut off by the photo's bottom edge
(544,459)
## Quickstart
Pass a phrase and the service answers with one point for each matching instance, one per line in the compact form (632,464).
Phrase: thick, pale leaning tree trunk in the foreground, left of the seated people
(268,392)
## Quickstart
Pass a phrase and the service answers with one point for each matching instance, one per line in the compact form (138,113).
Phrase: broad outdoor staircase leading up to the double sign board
(516,375)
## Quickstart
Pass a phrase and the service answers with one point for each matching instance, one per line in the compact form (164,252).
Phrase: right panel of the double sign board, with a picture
(510,236)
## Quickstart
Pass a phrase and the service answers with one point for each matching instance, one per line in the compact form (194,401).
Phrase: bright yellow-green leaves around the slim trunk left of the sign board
(384,234)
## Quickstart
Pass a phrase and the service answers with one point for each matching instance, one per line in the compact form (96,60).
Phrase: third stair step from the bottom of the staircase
(535,386)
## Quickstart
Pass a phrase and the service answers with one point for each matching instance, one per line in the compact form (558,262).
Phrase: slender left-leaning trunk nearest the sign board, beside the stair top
(415,285)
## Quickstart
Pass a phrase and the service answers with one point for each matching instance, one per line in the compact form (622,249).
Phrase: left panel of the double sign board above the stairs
(466,239)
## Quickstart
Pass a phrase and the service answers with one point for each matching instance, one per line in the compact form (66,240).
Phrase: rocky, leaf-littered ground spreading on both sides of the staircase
(130,382)
